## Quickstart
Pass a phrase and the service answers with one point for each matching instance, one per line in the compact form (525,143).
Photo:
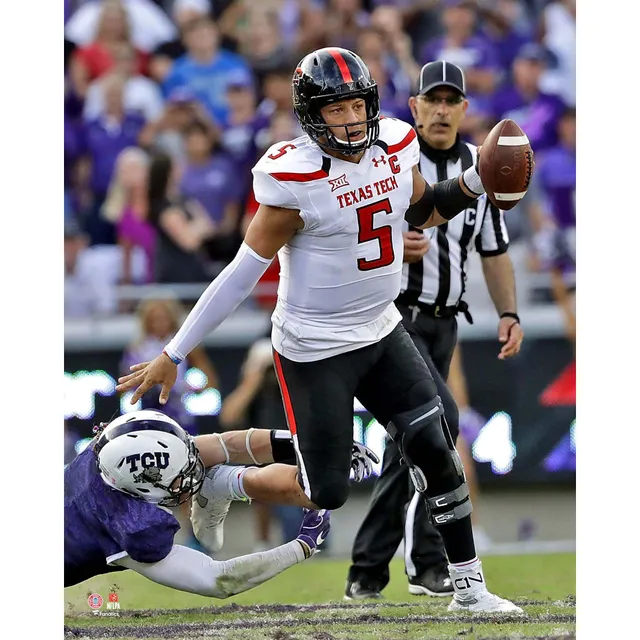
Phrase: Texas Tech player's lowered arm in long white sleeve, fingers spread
(270,229)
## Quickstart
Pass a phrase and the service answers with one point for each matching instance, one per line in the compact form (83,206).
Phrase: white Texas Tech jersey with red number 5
(340,274)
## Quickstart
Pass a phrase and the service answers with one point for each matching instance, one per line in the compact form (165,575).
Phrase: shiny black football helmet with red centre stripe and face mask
(330,75)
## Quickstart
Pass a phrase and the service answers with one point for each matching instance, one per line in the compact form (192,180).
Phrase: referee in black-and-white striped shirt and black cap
(433,284)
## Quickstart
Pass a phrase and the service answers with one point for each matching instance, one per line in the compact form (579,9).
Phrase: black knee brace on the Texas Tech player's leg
(434,464)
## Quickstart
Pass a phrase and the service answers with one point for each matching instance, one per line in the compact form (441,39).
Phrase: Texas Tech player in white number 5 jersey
(332,206)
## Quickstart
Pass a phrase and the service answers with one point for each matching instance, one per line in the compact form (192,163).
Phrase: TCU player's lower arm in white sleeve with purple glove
(195,572)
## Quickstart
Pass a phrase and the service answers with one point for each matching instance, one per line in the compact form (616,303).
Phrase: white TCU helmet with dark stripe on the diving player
(150,456)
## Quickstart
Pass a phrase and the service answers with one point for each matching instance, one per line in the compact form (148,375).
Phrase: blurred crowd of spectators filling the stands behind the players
(169,103)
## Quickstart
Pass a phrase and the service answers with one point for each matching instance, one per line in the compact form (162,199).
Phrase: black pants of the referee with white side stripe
(395,511)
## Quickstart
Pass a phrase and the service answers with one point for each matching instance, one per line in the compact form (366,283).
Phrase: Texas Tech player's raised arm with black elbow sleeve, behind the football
(431,206)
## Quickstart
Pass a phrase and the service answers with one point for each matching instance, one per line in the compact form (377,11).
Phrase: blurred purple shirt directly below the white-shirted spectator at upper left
(104,140)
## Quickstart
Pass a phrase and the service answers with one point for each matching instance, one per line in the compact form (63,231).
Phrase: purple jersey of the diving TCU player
(102,524)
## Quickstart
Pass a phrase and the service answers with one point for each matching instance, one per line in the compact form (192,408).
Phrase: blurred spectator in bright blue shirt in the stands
(205,68)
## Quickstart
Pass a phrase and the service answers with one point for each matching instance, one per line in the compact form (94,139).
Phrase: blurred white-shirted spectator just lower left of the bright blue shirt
(140,93)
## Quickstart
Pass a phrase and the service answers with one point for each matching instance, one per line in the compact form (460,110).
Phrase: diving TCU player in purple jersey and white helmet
(119,491)
